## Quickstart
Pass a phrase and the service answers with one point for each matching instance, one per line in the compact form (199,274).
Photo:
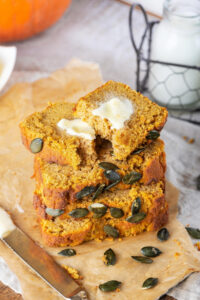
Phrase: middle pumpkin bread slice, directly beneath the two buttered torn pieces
(59,185)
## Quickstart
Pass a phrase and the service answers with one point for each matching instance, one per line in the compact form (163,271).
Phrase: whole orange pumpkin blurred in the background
(20,19)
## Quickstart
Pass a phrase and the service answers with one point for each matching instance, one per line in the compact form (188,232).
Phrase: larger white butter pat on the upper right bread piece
(116,110)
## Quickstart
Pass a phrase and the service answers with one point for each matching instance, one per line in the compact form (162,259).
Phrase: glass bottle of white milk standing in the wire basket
(176,39)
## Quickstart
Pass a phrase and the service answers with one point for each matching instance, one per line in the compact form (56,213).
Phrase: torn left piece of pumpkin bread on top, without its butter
(42,136)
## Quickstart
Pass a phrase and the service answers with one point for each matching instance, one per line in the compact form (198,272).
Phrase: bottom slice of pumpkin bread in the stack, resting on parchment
(117,214)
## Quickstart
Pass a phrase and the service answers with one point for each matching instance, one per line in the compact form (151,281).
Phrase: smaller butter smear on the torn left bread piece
(78,128)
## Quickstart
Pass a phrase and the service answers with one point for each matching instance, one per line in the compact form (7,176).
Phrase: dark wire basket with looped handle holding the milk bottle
(144,70)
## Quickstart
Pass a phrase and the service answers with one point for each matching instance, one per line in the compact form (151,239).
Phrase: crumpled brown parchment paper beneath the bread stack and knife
(179,257)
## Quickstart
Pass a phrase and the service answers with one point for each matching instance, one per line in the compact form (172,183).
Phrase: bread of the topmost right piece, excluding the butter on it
(147,116)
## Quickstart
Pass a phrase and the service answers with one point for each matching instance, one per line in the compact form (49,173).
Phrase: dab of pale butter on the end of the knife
(6,224)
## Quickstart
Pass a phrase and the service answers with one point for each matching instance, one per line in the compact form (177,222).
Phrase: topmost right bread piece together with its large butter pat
(122,116)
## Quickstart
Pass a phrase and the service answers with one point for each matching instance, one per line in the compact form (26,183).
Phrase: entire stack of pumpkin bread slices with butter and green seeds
(99,166)
